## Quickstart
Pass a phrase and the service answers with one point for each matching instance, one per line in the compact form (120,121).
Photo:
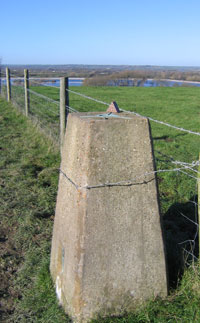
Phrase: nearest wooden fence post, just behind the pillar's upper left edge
(64,103)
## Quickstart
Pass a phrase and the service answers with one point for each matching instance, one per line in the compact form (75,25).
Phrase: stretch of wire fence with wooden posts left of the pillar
(41,109)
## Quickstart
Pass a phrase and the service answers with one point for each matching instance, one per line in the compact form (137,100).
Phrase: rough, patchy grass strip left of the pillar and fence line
(28,189)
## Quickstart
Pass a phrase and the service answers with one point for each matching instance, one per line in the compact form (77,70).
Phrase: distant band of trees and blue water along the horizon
(101,75)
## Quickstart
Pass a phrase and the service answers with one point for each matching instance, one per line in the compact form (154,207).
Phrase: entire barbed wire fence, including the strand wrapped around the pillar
(180,218)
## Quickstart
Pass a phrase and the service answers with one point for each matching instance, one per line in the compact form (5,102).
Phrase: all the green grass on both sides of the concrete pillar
(28,187)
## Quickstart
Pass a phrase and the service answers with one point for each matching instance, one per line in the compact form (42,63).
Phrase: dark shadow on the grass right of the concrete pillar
(180,225)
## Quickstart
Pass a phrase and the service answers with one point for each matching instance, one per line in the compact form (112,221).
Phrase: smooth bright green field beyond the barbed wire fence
(176,106)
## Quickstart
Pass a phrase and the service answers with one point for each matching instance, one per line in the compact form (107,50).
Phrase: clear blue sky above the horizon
(133,32)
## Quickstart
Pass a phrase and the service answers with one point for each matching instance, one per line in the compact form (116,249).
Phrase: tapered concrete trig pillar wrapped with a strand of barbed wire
(107,249)
